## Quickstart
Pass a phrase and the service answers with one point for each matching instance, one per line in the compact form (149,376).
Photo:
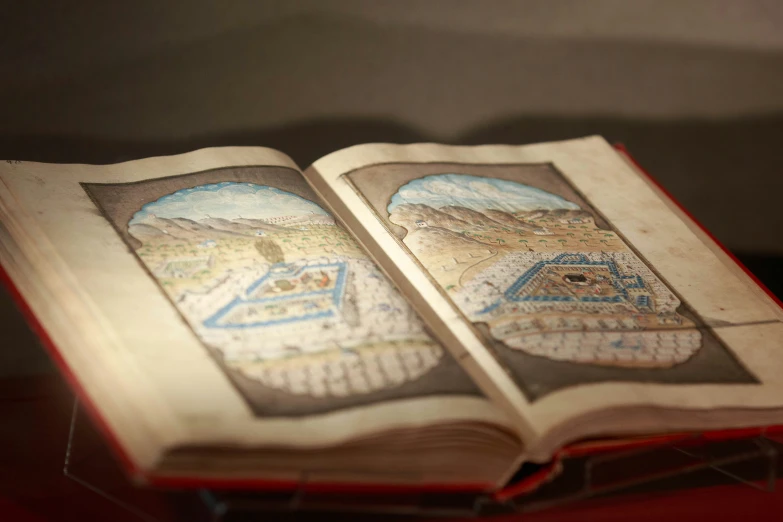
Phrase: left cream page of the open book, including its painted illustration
(219,303)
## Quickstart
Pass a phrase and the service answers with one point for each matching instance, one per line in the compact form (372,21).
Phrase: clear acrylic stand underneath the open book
(752,462)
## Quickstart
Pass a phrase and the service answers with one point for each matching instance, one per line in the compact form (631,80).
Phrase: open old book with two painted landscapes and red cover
(413,315)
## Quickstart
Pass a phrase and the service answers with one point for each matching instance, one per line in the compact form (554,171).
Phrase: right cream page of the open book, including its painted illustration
(568,269)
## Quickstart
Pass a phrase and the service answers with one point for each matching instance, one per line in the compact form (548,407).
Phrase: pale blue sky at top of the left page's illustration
(228,200)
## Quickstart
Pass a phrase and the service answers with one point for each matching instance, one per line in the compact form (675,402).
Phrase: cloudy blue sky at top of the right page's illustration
(476,193)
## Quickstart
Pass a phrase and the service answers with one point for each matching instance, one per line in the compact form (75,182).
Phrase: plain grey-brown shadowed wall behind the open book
(693,88)
